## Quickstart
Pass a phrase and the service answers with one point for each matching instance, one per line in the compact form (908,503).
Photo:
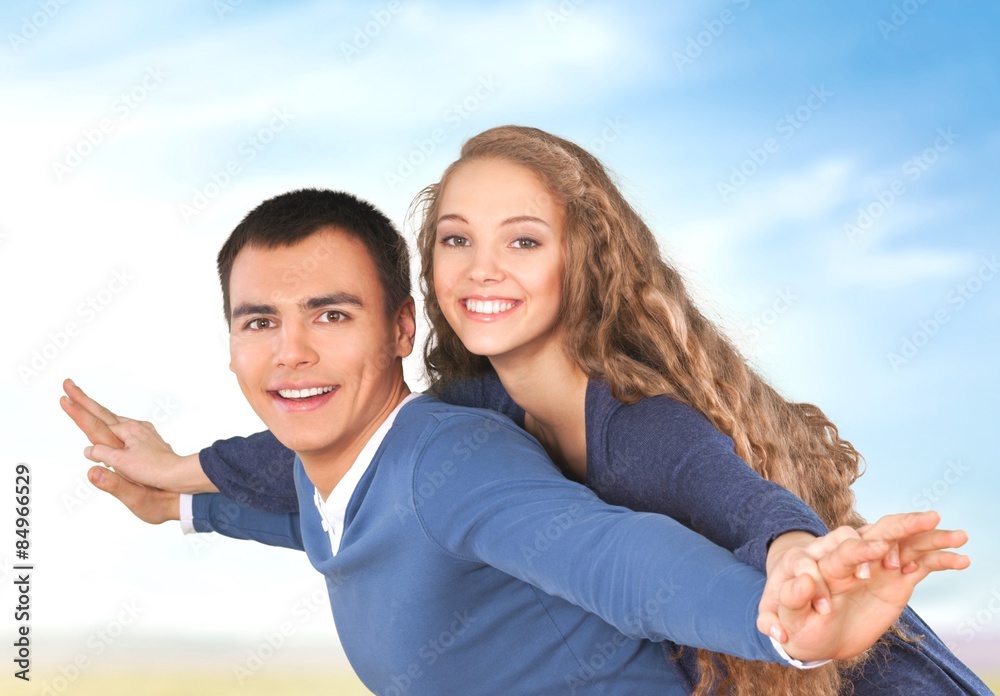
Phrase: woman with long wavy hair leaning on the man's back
(550,302)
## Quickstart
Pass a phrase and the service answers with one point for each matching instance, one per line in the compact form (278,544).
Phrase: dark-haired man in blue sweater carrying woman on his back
(457,557)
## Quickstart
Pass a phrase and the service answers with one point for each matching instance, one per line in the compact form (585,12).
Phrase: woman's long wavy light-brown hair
(630,321)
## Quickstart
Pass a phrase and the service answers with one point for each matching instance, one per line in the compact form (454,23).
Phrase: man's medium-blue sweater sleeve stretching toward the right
(650,577)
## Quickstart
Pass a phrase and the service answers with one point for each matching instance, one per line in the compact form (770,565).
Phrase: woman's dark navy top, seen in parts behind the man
(657,455)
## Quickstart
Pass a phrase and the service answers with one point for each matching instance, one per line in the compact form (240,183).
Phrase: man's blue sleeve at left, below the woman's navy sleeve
(212,512)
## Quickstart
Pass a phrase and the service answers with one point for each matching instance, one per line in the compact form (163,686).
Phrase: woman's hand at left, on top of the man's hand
(132,448)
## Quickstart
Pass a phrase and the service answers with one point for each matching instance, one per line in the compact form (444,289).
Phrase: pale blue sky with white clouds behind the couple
(863,224)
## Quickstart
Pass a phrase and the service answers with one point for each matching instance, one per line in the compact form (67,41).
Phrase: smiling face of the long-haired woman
(499,259)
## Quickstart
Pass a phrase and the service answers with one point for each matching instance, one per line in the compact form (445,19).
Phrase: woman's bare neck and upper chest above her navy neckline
(552,390)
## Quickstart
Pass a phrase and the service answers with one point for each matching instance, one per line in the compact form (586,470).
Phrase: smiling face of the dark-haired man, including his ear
(310,342)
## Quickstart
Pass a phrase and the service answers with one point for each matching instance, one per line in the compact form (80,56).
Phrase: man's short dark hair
(288,219)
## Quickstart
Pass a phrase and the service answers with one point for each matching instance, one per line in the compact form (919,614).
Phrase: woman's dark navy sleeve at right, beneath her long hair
(663,456)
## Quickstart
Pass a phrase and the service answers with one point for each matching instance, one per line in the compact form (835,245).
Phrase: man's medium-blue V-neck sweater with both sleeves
(470,565)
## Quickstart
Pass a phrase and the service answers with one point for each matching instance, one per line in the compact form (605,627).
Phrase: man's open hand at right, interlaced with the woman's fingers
(861,608)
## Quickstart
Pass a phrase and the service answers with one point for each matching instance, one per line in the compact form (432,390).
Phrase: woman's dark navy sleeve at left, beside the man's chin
(255,471)
